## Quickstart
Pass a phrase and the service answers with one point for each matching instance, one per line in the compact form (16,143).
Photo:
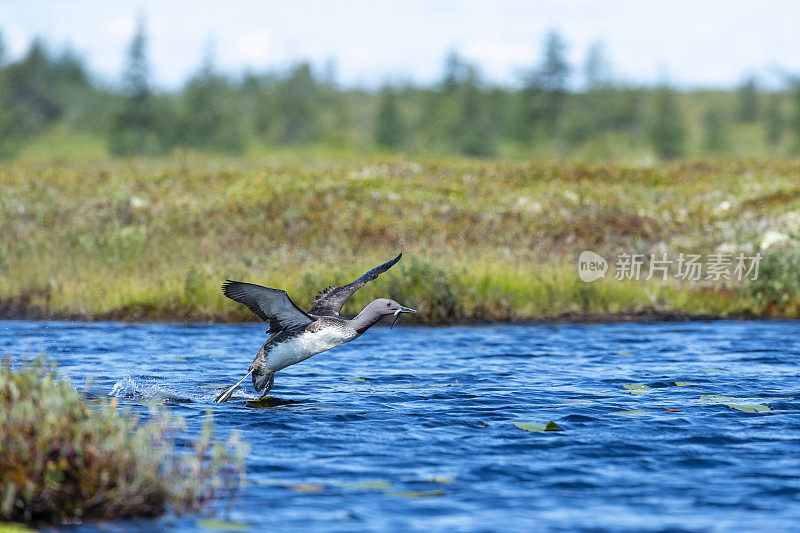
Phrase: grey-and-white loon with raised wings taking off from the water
(296,335)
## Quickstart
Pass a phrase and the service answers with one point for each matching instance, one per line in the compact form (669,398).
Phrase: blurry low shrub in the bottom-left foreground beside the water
(64,457)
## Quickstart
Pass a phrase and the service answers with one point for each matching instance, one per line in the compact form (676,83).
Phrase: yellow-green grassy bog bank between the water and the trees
(494,240)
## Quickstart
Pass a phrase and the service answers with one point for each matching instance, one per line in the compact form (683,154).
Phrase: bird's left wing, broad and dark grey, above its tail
(271,305)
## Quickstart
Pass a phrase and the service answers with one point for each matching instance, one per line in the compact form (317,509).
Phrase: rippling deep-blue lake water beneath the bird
(413,429)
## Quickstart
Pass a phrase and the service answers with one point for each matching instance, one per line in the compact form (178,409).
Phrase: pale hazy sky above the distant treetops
(692,44)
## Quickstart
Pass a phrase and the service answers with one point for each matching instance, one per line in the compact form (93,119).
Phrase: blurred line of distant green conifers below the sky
(462,114)
